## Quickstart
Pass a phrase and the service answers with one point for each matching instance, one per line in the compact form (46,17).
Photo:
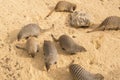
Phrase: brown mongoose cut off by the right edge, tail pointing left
(110,23)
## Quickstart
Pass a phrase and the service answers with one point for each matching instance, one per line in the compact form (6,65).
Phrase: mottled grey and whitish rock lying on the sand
(80,19)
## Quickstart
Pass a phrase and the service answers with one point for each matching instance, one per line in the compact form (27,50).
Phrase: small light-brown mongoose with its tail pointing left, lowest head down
(32,46)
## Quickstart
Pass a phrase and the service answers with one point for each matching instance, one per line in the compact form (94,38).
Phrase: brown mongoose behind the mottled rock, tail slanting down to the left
(63,6)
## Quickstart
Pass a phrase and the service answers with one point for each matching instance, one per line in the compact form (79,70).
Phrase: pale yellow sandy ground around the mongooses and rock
(103,48)
